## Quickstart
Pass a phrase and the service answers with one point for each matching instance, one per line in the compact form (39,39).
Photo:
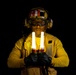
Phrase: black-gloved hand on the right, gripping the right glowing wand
(44,59)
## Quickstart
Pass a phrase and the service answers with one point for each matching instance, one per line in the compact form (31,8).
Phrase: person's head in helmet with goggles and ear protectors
(38,20)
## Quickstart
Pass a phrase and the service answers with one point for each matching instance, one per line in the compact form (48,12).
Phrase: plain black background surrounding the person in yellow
(12,17)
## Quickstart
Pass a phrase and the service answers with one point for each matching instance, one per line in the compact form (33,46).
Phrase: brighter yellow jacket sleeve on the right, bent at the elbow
(61,59)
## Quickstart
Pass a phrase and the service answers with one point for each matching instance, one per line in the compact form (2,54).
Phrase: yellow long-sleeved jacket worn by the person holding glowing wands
(53,47)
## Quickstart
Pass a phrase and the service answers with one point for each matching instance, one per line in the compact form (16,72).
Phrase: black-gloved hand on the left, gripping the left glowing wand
(31,60)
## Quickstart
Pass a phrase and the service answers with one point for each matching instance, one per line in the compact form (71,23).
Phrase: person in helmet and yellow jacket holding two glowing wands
(38,52)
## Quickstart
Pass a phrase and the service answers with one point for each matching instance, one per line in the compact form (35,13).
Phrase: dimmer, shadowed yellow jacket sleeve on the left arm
(14,60)
